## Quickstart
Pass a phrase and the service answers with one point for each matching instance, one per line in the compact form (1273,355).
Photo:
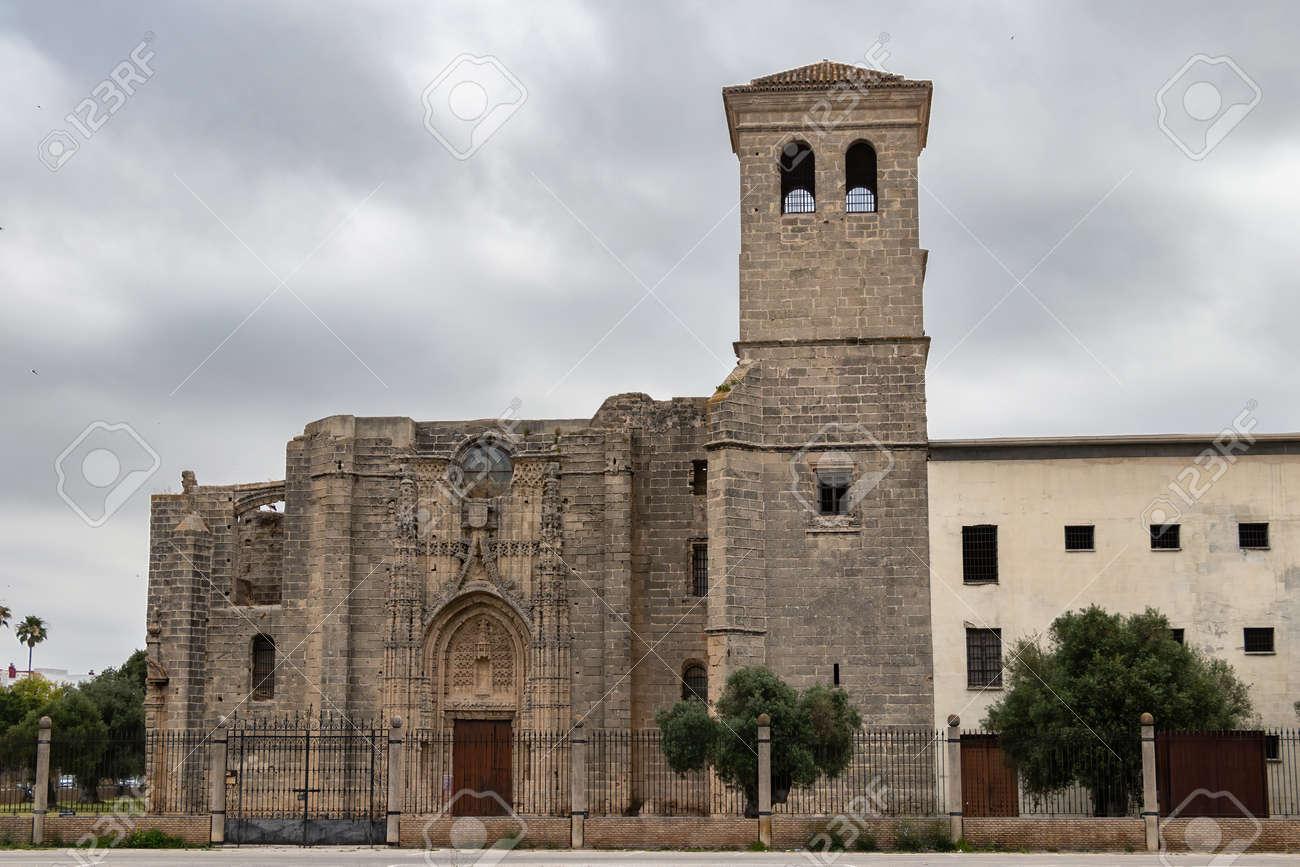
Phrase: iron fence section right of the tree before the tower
(894,773)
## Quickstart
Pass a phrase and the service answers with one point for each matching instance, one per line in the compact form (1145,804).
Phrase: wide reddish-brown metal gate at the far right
(1197,771)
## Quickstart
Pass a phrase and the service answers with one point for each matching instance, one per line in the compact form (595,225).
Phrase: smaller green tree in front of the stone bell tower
(812,734)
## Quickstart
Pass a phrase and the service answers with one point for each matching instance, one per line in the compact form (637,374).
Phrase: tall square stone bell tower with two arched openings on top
(817,484)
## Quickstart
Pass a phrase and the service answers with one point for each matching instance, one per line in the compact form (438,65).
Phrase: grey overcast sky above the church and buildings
(288,142)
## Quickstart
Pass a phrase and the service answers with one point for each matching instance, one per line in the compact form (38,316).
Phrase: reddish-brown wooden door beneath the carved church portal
(482,761)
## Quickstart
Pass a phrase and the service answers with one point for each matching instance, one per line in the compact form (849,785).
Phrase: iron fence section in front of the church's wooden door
(530,771)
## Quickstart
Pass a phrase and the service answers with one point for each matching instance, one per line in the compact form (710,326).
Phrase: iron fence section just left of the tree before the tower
(629,775)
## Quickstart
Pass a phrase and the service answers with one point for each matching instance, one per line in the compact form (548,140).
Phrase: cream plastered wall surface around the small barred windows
(1211,587)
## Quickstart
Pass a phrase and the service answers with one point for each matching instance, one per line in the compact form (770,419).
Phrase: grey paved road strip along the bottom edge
(350,857)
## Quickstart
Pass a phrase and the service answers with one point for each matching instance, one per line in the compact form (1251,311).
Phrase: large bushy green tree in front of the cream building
(1071,714)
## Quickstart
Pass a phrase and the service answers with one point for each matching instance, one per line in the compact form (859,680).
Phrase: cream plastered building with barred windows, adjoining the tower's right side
(1025,530)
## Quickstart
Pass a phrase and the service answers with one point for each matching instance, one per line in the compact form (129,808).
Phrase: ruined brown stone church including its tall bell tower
(535,574)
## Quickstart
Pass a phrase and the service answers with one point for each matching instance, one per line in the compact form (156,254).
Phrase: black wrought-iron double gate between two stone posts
(306,786)
